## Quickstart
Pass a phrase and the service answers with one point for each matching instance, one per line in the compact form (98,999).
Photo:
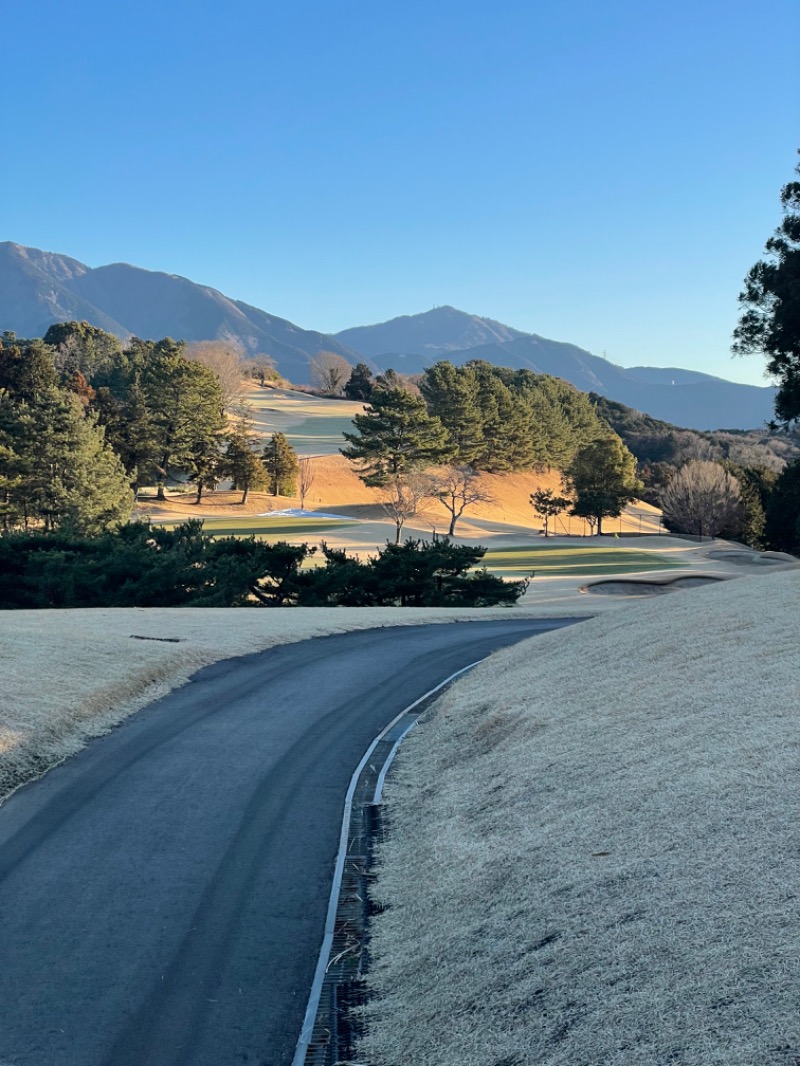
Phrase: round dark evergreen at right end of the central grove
(603,480)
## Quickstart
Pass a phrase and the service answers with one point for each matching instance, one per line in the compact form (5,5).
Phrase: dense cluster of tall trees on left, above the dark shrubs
(87,422)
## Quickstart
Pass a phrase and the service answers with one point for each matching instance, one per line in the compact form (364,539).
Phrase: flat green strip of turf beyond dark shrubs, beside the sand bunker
(573,559)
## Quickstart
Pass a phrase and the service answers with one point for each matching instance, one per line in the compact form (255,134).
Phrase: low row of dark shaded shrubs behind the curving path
(141,567)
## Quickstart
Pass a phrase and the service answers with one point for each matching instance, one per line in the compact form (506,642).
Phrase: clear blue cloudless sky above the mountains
(602,172)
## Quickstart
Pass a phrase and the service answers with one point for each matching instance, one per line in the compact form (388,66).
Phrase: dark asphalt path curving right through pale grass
(164,895)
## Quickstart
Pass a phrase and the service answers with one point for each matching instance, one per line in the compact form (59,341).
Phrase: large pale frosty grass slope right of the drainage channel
(595,853)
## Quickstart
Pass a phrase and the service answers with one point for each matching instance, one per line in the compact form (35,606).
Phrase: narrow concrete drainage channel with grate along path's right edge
(331,1025)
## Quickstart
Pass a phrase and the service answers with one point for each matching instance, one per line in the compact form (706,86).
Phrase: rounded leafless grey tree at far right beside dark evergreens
(702,498)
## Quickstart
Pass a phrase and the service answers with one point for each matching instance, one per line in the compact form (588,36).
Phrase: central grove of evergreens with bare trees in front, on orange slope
(479,418)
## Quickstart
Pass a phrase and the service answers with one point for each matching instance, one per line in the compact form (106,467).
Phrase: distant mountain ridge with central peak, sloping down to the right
(685,398)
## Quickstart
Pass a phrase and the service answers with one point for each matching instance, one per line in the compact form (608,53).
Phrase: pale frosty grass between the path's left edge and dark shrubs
(72,675)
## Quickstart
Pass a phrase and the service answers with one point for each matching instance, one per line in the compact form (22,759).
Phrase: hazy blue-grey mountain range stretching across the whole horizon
(39,288)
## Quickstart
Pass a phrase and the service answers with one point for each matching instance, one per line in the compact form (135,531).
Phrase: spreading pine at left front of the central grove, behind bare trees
(395,434)
